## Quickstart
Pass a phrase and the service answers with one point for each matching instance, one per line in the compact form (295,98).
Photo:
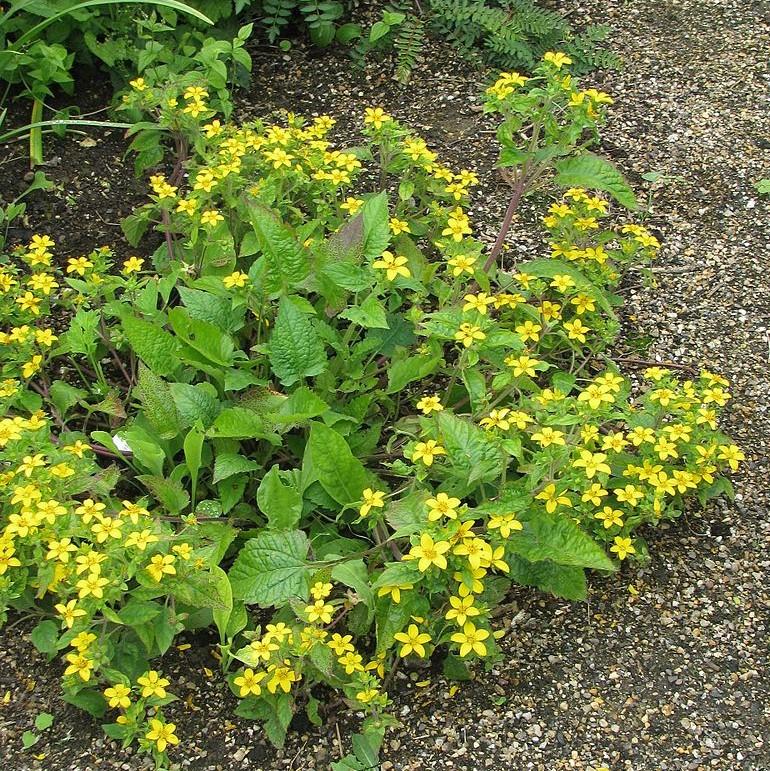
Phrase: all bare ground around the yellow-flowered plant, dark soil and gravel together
(665,666)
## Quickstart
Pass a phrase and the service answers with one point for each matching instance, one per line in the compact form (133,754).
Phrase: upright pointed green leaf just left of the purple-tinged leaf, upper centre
(286,260)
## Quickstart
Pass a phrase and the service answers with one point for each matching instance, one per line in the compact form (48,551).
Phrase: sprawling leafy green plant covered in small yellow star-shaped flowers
(323,419)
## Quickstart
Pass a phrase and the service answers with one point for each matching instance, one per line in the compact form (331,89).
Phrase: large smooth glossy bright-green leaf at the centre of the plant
(335,467)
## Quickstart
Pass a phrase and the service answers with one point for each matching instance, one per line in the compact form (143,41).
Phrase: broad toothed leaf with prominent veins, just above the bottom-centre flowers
(271,569)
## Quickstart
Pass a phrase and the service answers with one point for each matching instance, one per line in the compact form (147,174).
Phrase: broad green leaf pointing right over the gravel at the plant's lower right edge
(559,539)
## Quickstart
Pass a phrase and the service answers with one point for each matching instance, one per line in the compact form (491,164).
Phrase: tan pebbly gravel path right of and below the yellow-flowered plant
(665,667)
